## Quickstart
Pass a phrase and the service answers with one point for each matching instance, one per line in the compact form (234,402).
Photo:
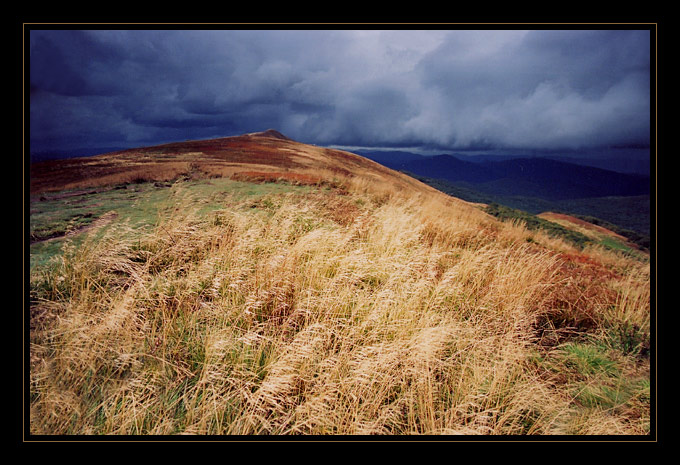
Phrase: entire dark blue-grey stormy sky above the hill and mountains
(438,89)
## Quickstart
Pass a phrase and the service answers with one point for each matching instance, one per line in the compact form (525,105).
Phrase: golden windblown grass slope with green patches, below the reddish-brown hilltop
(357,303)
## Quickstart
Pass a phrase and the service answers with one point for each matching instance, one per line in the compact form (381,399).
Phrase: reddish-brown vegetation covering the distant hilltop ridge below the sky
(200,159)
